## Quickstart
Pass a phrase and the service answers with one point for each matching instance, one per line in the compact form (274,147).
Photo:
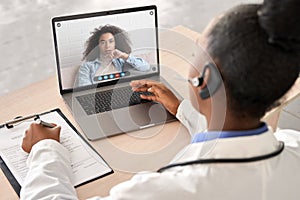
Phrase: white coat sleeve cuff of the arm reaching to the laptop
(194,121)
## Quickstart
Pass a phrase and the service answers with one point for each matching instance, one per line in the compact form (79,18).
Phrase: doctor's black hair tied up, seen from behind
(256,48)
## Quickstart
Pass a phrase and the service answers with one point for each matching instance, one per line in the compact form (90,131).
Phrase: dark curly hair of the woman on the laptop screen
(122,41)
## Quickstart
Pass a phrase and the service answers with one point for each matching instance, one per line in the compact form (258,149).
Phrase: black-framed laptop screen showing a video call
(104,47)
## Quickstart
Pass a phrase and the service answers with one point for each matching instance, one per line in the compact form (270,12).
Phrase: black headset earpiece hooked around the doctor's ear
(213,83)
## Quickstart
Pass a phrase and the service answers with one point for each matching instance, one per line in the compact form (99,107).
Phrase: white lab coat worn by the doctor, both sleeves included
(276,178)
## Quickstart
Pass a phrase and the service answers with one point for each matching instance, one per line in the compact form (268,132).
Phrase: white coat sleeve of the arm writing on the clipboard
(50,174)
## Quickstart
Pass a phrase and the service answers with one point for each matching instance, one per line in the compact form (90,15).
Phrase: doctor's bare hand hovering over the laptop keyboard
(160,92)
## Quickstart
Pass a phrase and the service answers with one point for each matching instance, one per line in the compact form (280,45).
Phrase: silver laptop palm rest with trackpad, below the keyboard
(124,120)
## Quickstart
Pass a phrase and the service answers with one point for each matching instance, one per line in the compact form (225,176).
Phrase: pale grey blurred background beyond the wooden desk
(27,53)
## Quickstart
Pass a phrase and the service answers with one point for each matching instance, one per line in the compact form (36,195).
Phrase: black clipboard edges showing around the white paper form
(10,125)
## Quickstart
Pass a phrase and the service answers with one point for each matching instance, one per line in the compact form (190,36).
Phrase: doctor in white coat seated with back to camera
(255,49)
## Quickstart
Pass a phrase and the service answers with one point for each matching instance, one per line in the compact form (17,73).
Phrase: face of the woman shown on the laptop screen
(106,44)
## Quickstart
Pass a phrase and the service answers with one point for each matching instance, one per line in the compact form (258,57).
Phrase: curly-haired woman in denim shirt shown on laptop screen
(107,50)
